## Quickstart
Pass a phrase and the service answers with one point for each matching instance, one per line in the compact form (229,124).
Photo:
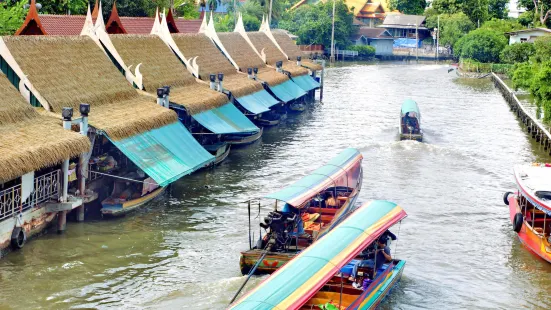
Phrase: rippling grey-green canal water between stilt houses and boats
(182,252)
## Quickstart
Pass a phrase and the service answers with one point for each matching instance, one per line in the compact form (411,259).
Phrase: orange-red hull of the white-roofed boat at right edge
(527,235)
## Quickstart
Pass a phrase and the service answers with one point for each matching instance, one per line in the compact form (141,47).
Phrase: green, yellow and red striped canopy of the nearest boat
(301,278)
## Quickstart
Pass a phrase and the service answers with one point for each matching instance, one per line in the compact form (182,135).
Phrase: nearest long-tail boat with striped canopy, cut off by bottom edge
(317,278)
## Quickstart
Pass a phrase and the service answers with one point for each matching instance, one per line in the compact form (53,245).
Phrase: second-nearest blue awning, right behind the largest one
(225,120)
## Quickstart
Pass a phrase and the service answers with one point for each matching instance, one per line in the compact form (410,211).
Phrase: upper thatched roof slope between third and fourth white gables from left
(240,51)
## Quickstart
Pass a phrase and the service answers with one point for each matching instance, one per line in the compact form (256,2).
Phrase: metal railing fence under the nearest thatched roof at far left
(46,187)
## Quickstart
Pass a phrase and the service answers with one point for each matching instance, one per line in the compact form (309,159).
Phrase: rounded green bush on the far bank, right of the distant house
(482,45)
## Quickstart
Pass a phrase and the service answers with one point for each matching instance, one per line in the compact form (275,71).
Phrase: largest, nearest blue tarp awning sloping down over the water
(165,154)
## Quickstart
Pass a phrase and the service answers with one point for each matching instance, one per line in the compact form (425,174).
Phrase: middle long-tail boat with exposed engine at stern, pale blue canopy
(318,200)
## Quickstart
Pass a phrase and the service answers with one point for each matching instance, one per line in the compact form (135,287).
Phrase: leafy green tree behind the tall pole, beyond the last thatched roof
(312,23)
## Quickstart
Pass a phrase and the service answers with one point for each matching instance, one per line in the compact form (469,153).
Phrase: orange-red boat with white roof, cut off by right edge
(530,208)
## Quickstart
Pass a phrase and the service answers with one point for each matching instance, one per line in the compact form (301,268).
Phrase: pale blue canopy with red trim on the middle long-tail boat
(343,170)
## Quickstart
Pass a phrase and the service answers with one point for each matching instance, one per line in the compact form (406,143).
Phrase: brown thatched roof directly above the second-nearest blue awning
(161,67)
